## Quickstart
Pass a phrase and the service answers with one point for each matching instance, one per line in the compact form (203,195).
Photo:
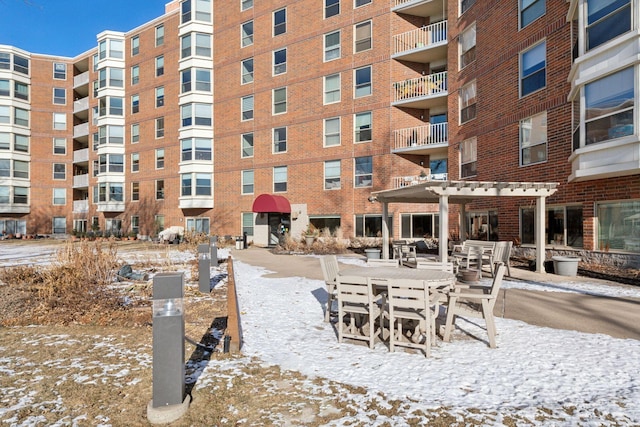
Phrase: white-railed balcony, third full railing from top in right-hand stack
(426,140)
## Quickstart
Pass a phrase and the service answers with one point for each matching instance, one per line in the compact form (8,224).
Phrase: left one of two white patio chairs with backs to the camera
(356,300)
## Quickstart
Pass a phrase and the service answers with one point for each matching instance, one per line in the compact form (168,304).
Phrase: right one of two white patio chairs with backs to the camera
(411,320)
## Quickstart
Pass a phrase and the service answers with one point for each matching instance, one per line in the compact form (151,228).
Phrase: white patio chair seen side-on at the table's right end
(475,301)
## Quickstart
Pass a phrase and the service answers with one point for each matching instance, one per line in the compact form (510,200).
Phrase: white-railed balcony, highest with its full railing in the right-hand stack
(423,45)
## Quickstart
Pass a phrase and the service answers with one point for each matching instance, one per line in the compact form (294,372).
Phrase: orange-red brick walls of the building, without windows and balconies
(499,111)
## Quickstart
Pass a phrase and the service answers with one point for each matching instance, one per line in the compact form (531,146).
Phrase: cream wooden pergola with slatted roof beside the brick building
(463,192)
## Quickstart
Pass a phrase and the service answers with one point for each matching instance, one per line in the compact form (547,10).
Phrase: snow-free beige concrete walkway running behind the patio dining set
(615,316)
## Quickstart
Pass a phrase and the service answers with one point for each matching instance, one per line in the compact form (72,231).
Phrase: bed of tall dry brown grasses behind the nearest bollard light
(75,288)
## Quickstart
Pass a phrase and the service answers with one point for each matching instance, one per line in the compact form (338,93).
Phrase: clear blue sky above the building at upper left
(69,27)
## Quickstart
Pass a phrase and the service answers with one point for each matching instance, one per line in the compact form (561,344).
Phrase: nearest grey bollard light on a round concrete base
(169,401)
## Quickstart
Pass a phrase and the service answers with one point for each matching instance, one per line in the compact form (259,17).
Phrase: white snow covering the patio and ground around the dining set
(569,378)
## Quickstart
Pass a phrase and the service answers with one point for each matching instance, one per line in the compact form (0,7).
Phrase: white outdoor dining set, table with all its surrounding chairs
(398,301)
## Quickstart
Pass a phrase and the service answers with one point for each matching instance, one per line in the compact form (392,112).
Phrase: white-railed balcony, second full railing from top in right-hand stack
(422,92)
